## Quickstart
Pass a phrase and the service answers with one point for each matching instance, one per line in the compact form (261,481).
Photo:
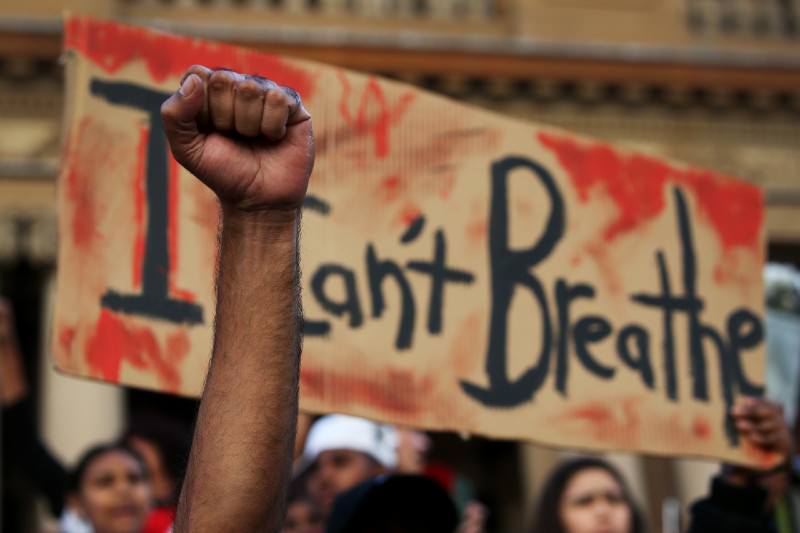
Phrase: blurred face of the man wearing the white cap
(336,471)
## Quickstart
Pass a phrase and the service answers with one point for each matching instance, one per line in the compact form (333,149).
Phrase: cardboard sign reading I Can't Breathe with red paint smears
(461,270)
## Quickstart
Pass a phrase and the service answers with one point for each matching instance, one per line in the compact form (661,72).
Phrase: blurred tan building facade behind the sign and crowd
(712,82)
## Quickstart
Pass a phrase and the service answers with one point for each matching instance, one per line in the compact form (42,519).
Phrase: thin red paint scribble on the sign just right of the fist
(374,114)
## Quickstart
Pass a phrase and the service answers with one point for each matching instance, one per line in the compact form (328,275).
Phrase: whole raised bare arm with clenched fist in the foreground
(257,157)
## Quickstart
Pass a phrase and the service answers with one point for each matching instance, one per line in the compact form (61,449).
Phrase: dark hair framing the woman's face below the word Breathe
(548,517)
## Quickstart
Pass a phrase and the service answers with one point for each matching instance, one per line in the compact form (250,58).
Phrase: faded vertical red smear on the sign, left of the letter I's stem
(81,194)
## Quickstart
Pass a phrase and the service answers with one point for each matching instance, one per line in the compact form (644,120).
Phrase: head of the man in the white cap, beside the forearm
(343,451)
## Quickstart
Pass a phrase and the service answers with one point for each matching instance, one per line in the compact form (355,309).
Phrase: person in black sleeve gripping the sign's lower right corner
(747,500)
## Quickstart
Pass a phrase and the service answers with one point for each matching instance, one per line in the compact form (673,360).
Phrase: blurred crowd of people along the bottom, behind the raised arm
(354,475)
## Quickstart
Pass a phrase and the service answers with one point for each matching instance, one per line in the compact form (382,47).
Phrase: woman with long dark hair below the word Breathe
(587,495)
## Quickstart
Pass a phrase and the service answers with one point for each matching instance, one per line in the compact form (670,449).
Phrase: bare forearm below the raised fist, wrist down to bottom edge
(238,471)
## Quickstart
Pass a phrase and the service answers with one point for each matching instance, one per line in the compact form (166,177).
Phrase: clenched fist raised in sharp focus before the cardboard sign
(245,137)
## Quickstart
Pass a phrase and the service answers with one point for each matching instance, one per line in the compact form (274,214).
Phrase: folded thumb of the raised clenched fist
(179,117)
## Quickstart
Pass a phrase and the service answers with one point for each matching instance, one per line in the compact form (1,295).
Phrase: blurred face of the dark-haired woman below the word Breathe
(593,502)
